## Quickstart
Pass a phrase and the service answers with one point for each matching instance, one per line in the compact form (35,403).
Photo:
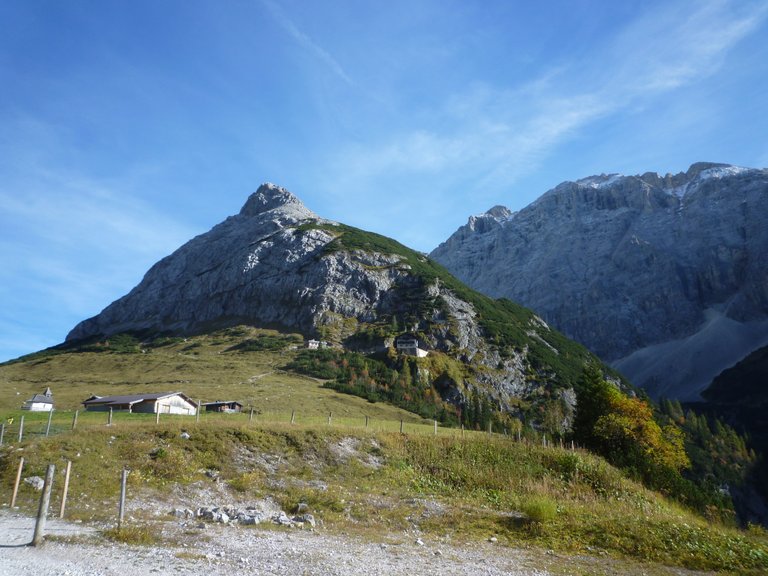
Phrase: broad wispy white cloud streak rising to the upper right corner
(503,133)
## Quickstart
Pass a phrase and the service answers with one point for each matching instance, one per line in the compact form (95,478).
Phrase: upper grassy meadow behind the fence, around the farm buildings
(212,370)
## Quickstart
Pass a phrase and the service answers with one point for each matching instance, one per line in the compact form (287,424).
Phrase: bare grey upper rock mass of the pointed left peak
(260,267)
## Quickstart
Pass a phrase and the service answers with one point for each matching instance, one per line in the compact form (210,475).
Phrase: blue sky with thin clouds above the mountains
(127,128)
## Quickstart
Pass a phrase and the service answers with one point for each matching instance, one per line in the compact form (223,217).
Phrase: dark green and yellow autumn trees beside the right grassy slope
(679,456)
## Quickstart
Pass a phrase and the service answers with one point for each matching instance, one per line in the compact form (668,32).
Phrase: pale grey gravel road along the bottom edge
(78,550)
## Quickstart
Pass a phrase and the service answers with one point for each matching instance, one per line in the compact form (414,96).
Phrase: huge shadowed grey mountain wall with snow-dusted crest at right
(665,277)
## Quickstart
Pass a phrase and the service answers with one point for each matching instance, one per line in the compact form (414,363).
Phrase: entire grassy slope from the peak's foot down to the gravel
(461,486)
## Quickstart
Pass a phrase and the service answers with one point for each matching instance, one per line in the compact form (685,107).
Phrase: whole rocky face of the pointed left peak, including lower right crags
(277,264)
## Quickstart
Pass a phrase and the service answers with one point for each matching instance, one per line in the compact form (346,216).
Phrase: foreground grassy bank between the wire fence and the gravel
(381,483)
